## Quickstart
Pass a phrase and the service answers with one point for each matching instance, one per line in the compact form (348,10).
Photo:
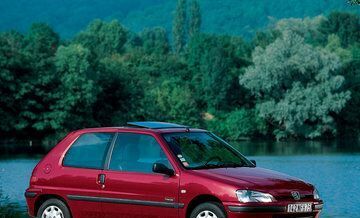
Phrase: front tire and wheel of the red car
(208,210)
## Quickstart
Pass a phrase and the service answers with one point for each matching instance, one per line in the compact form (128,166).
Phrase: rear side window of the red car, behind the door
(88,151)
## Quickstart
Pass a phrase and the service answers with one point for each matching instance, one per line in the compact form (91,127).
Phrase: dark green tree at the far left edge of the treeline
(29,62)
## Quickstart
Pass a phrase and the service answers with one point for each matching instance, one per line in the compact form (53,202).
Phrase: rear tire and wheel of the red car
(53,208)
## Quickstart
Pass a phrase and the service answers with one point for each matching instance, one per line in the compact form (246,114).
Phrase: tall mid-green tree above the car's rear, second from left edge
(76,95)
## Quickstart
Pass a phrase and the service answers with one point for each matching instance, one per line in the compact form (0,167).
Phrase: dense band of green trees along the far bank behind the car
(298,79)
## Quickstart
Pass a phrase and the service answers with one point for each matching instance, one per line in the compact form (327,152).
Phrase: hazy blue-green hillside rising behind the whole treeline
(226,16)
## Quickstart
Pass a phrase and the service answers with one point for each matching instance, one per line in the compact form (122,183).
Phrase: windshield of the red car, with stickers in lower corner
(201,150)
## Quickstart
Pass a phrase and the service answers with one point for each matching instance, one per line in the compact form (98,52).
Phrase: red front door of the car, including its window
(131,188)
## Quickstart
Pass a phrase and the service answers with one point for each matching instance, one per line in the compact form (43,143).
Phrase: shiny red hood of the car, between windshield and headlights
(255,178)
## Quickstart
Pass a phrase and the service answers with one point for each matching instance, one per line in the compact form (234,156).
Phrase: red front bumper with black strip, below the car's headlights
(275,210)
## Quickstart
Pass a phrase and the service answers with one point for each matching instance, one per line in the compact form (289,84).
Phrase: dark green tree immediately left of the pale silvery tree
(214,62)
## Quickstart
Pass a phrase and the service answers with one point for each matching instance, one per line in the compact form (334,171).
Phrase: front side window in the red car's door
(136,153)
